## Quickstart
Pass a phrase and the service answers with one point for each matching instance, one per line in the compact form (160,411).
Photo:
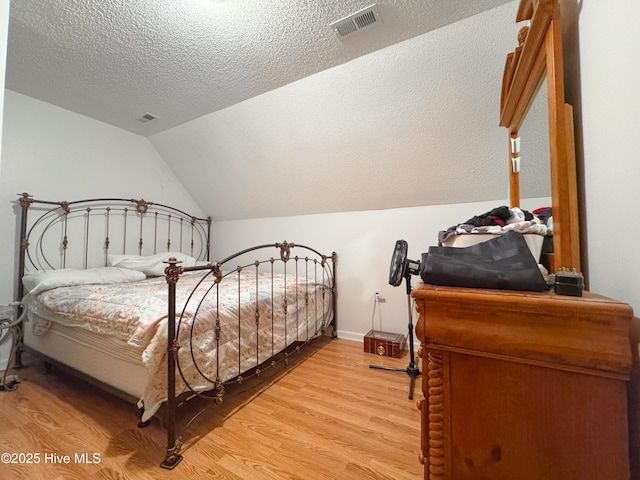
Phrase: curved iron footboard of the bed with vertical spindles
(305,312)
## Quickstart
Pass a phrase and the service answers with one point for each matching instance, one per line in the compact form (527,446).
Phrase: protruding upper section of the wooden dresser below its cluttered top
(588,333)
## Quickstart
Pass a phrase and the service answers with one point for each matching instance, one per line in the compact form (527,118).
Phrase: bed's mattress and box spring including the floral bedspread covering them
(109,331)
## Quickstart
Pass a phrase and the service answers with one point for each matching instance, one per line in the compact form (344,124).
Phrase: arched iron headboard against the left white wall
(83,233)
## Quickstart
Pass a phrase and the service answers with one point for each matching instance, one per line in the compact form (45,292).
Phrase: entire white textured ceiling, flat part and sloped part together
(264,112)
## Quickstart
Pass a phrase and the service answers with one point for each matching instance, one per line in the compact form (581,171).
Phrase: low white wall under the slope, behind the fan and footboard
(364,242)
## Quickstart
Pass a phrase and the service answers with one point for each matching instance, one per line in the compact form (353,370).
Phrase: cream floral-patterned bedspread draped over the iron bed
(250,331)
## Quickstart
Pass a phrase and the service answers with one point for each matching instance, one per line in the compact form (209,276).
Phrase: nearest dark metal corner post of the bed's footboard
(172,457)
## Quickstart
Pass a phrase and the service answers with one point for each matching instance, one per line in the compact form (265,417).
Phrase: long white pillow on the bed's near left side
(40,281)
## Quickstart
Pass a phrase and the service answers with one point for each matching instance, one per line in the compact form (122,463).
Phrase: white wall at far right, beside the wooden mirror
(610,73)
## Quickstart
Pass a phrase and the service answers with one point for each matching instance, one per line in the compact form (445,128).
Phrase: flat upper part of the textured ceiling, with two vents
(115,60)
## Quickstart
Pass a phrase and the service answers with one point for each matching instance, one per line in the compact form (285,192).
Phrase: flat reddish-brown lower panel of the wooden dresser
(551,441)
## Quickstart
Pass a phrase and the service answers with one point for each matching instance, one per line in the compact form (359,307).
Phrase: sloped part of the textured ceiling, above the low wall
(413,124)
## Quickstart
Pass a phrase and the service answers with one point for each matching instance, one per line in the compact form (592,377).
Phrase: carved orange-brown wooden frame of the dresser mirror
(539,52)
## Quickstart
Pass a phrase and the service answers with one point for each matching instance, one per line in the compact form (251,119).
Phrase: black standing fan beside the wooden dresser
(401,267)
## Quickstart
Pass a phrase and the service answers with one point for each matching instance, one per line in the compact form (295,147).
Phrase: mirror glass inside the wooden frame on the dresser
(535,172)
